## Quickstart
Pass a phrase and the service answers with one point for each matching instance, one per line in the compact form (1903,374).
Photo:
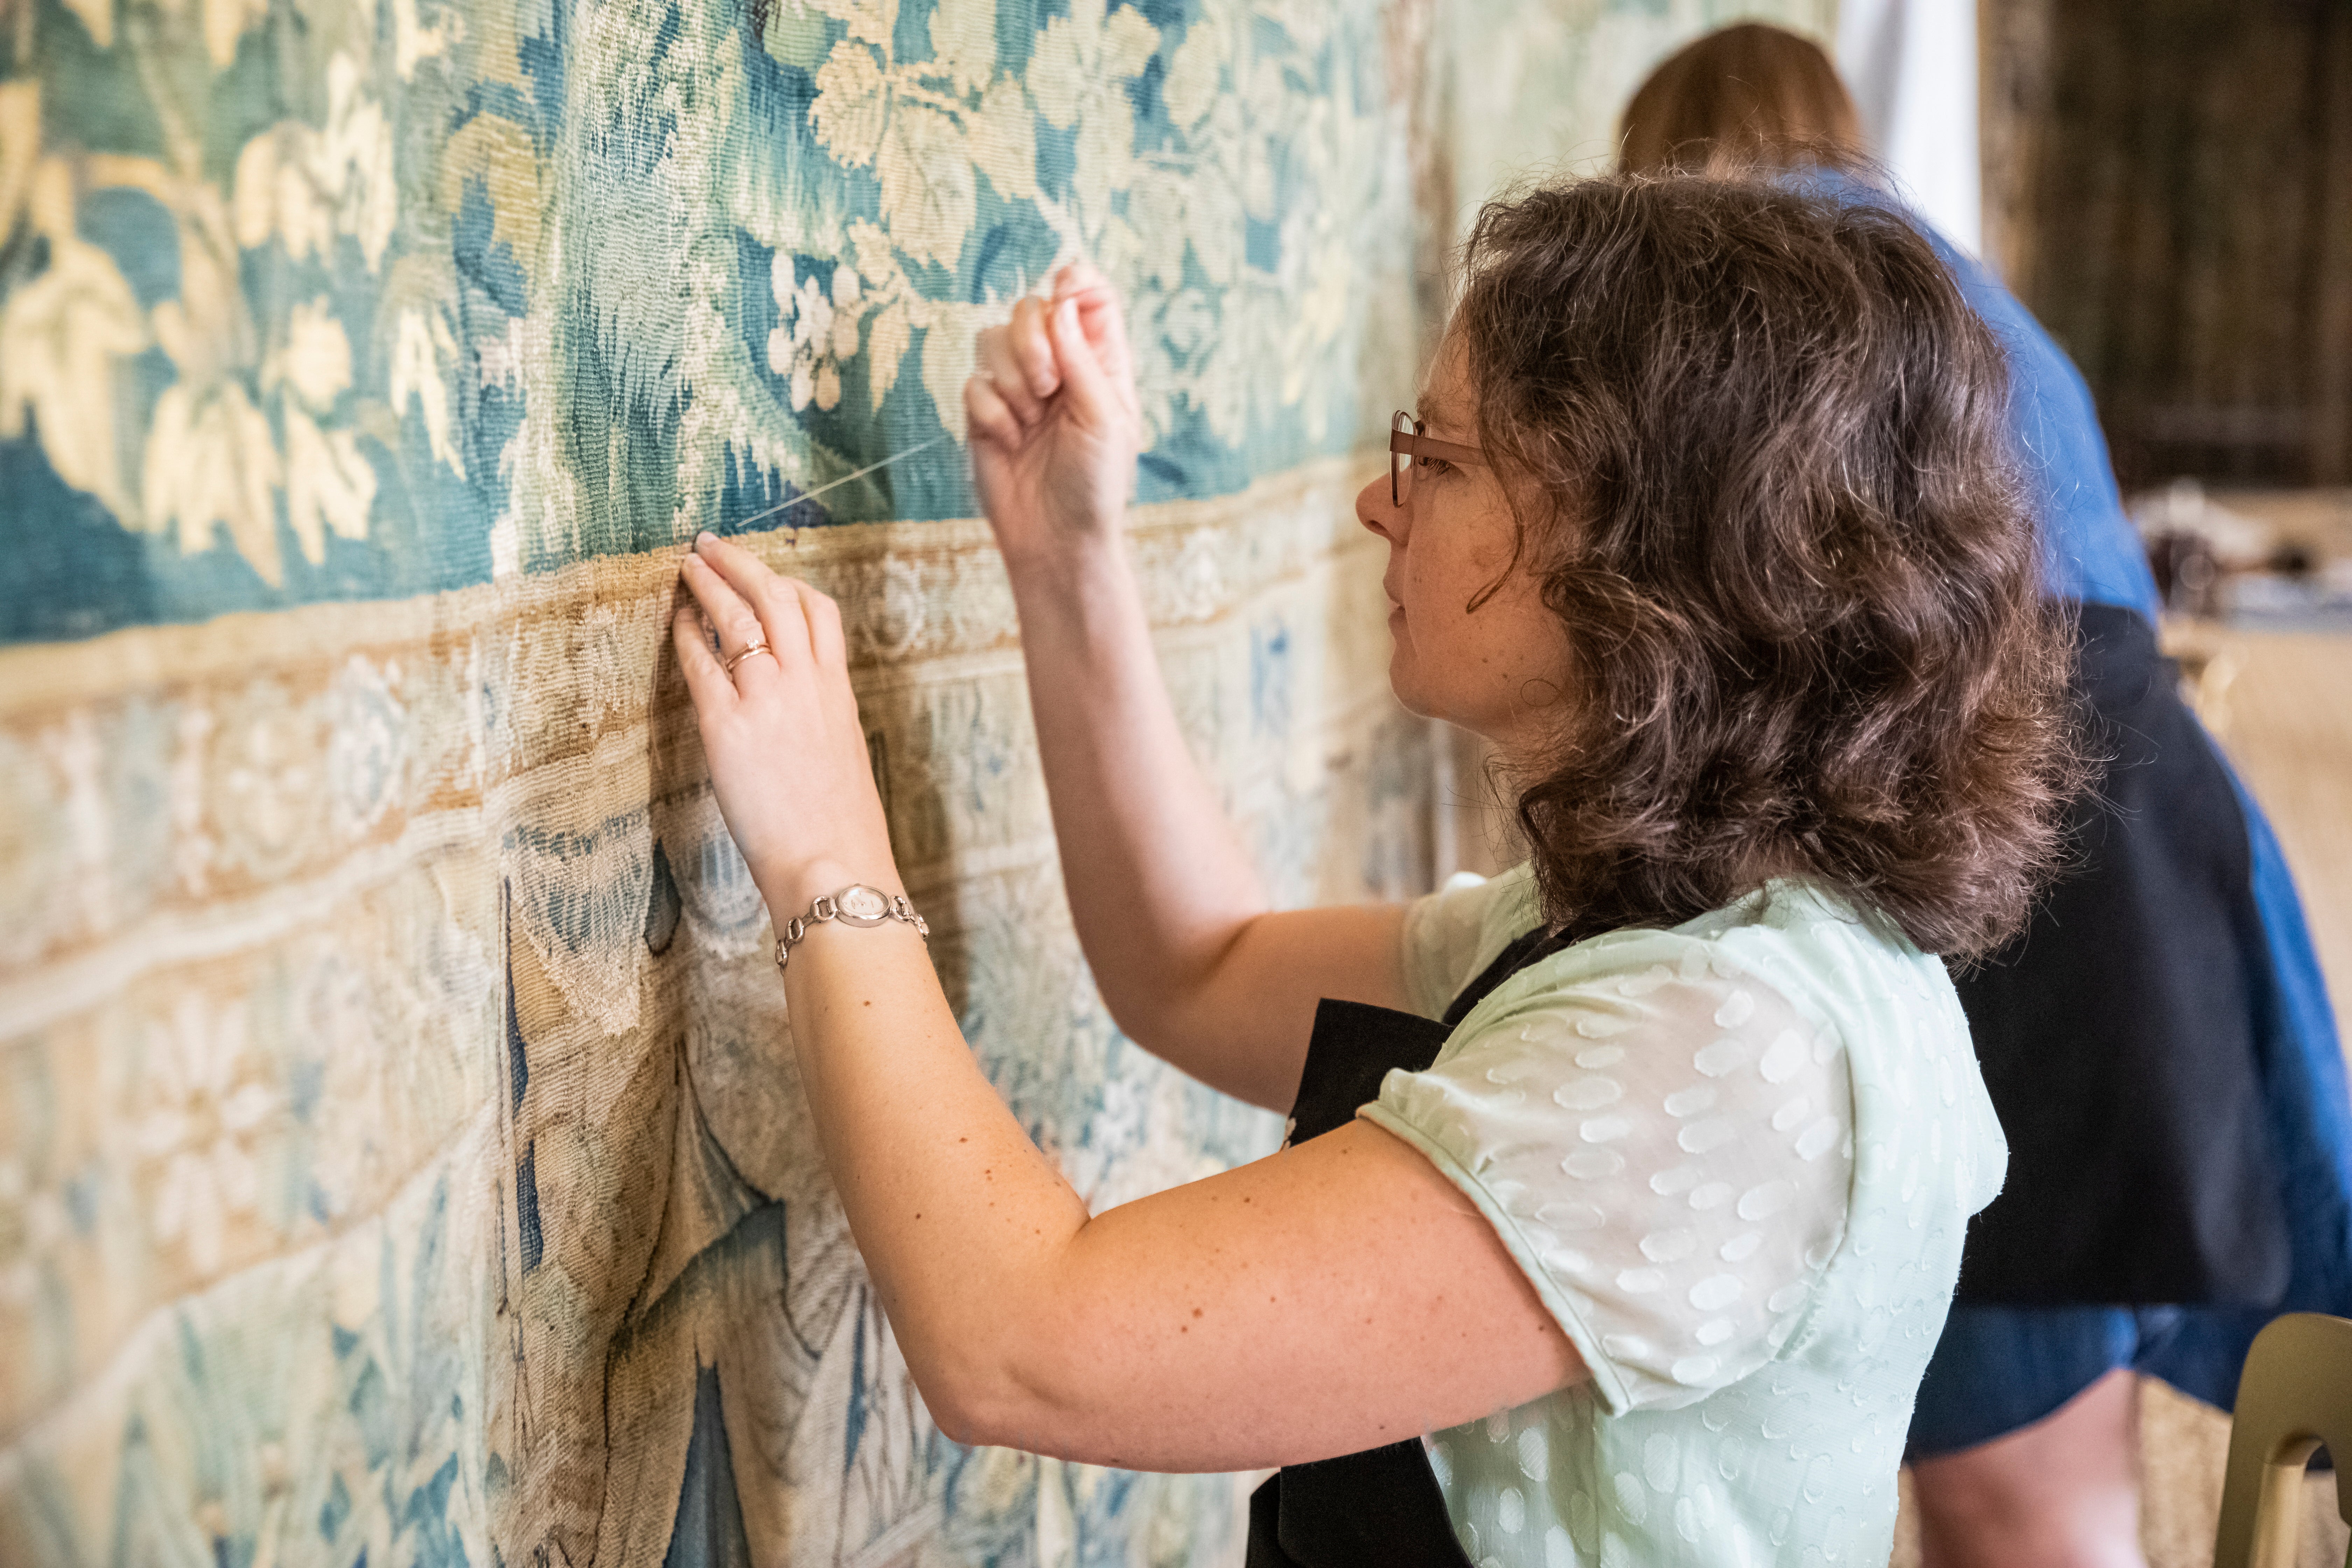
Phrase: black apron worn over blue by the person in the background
(2118,1036)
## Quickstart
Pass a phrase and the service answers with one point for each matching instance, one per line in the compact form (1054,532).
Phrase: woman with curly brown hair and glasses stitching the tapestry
(1626,1191)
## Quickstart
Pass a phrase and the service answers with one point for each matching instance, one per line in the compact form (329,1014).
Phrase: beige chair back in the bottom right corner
(2297,1393)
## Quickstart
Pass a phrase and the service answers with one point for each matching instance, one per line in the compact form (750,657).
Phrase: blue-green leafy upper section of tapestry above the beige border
(356,300)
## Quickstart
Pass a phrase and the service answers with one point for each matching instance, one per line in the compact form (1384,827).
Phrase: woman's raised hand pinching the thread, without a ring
(1055,420)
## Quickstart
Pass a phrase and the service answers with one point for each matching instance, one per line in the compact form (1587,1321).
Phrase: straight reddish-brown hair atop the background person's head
(1742,98)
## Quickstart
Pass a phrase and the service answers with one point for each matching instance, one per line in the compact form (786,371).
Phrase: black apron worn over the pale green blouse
(1379,1508)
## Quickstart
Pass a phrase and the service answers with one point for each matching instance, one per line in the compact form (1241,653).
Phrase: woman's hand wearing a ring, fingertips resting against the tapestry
(784,739)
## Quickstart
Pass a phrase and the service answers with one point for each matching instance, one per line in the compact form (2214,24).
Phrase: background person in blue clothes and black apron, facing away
(2158,1045)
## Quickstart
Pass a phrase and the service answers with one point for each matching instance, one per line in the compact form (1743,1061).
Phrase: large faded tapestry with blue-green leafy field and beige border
(401,1158)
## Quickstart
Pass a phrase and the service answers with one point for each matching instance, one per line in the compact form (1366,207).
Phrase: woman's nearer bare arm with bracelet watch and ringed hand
(1321,1301)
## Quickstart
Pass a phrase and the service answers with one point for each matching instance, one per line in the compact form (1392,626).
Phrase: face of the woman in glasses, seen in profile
(1499,671)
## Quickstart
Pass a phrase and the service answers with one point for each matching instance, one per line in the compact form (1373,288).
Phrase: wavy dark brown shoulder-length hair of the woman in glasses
(1758,453)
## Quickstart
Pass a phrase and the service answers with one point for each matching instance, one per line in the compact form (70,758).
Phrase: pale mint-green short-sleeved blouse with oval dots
(1737,1162)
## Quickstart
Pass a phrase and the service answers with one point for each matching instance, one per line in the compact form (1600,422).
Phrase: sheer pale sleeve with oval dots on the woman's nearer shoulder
(1666,1146)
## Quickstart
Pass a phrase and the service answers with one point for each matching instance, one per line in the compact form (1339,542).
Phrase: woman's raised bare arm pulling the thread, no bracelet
(1168,906)
